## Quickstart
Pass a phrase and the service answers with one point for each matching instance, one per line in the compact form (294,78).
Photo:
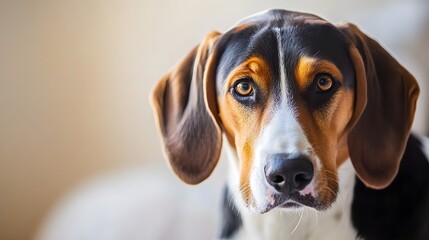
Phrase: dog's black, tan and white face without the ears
(285,91)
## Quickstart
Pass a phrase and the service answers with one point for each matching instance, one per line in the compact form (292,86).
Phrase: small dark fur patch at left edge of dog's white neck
(231,219)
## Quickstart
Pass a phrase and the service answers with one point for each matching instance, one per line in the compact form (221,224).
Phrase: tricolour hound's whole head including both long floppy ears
(295,96)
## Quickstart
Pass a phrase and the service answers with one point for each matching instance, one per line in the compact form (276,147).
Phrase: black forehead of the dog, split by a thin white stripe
(300,34)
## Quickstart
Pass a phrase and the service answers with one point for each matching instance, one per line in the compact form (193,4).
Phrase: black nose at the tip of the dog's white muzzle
(288,173)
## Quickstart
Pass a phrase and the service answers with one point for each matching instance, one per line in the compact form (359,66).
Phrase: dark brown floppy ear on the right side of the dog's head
(385,102)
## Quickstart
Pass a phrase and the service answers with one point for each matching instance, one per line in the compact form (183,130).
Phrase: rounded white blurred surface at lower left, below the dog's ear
(135,204)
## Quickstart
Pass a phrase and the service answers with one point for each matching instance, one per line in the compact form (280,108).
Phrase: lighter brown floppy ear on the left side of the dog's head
(191,135)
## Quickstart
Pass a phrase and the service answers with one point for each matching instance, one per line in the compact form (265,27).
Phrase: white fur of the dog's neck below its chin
(303,223)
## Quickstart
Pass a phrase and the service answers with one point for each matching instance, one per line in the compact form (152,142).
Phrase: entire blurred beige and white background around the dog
(80,157)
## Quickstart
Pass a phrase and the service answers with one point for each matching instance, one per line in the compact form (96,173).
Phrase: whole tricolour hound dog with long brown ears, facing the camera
(315,118)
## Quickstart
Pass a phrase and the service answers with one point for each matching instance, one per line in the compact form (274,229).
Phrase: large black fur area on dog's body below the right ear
(400,211)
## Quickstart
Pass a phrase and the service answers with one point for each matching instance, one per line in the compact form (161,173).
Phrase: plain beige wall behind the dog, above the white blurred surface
(74,83)
